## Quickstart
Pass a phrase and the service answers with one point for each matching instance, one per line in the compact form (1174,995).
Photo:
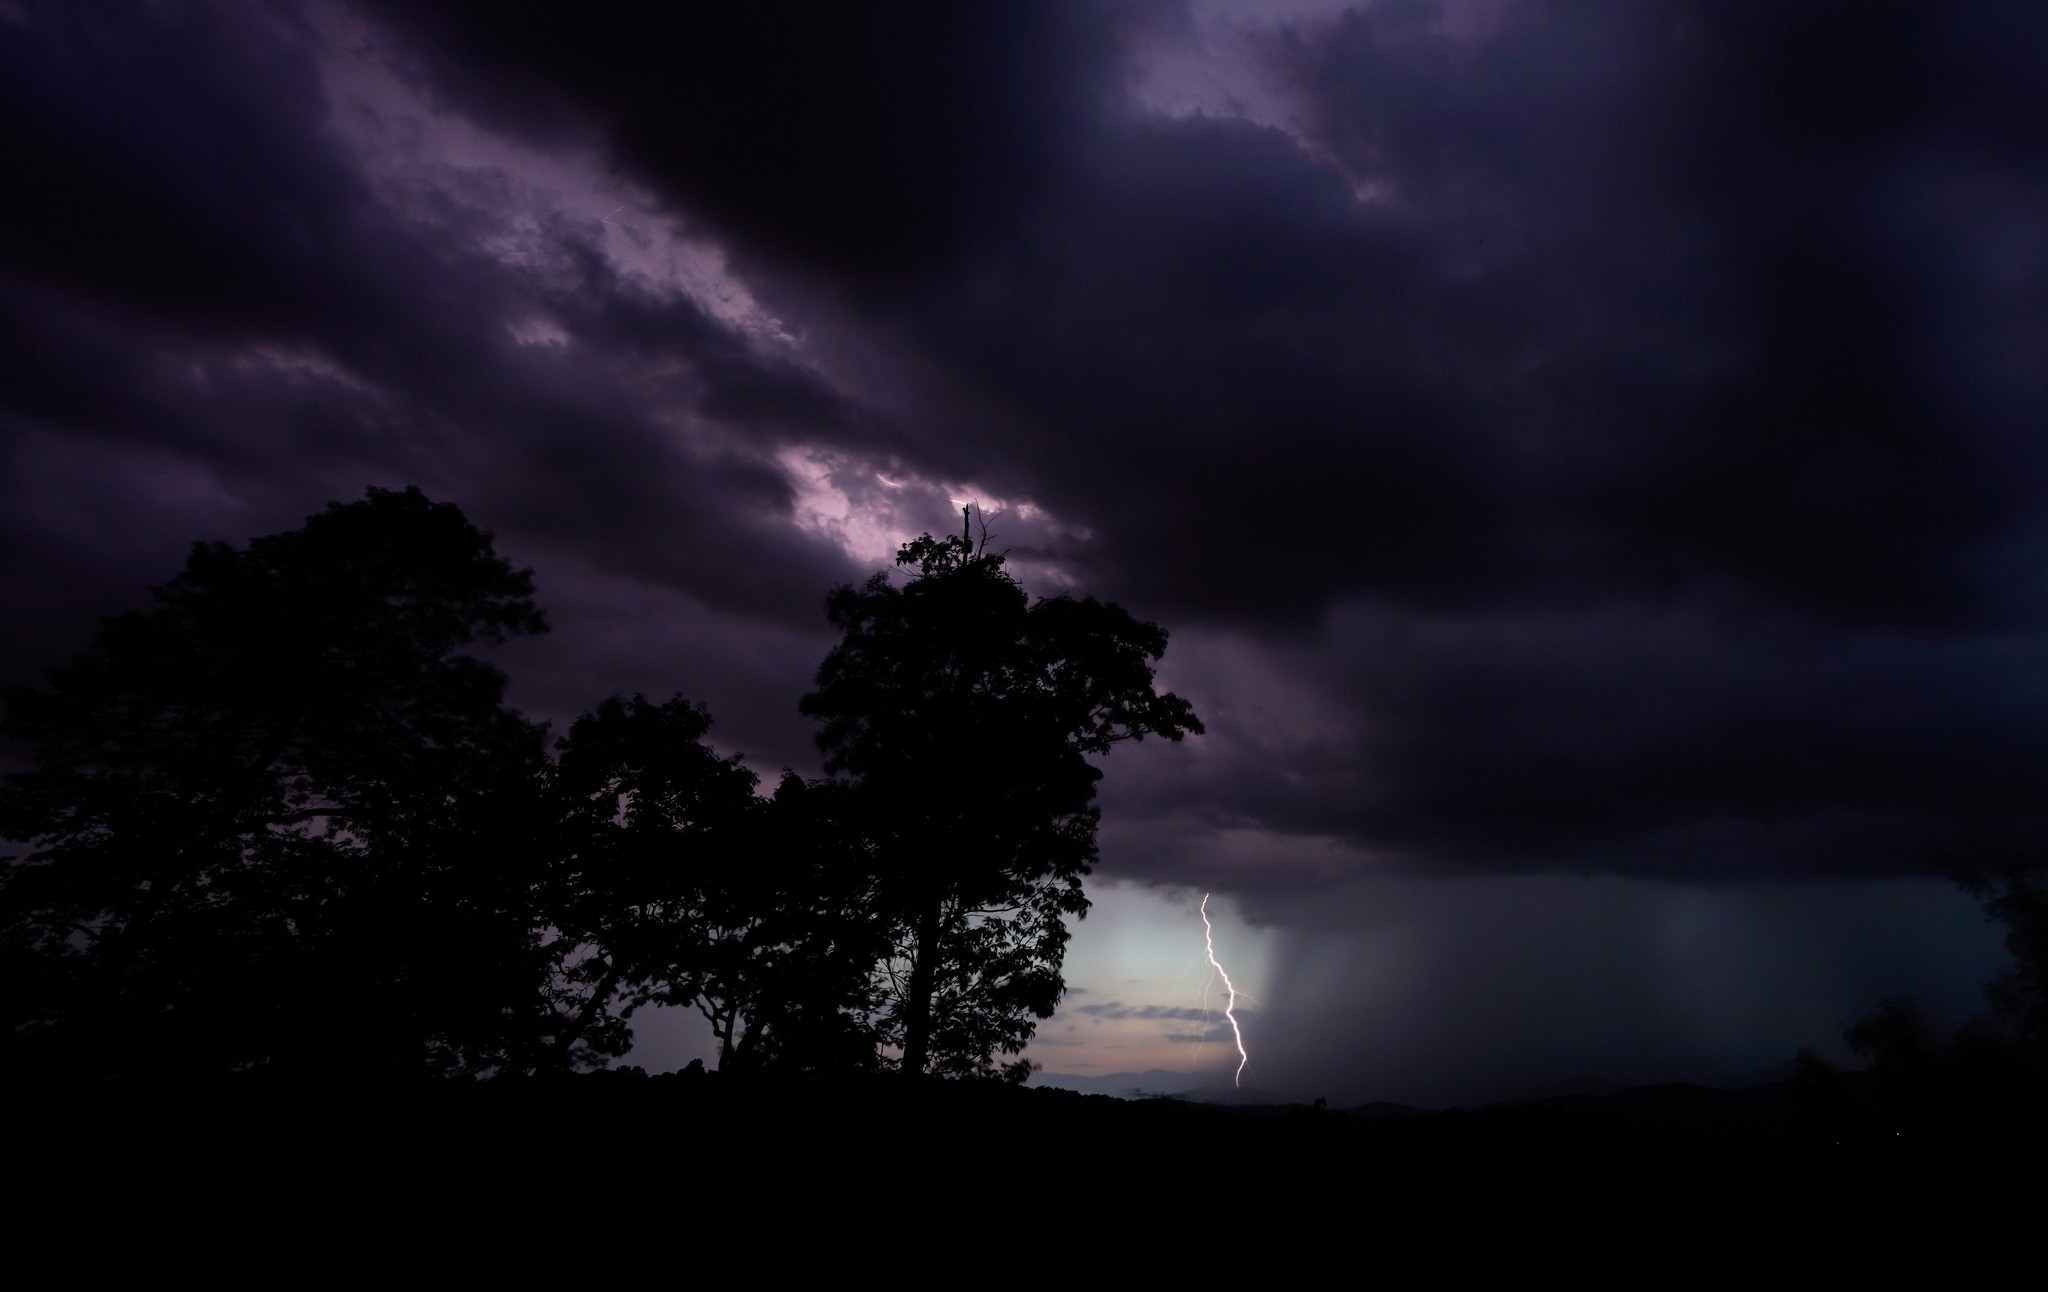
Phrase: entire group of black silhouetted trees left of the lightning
(284,822)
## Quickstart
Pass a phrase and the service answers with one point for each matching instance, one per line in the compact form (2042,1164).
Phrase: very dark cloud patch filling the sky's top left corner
(179,165)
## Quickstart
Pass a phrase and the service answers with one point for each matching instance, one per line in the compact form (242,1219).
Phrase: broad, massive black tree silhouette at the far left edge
(282,820)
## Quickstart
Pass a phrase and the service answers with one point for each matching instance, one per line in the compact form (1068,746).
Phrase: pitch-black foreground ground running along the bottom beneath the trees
(589,1170)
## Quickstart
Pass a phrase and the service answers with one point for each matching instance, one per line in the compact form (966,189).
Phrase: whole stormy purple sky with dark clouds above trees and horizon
(1590,454)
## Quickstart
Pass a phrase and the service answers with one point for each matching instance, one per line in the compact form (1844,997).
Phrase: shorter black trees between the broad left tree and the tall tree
(677,886)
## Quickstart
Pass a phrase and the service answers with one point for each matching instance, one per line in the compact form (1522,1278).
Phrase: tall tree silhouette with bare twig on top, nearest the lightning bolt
(966,720)
